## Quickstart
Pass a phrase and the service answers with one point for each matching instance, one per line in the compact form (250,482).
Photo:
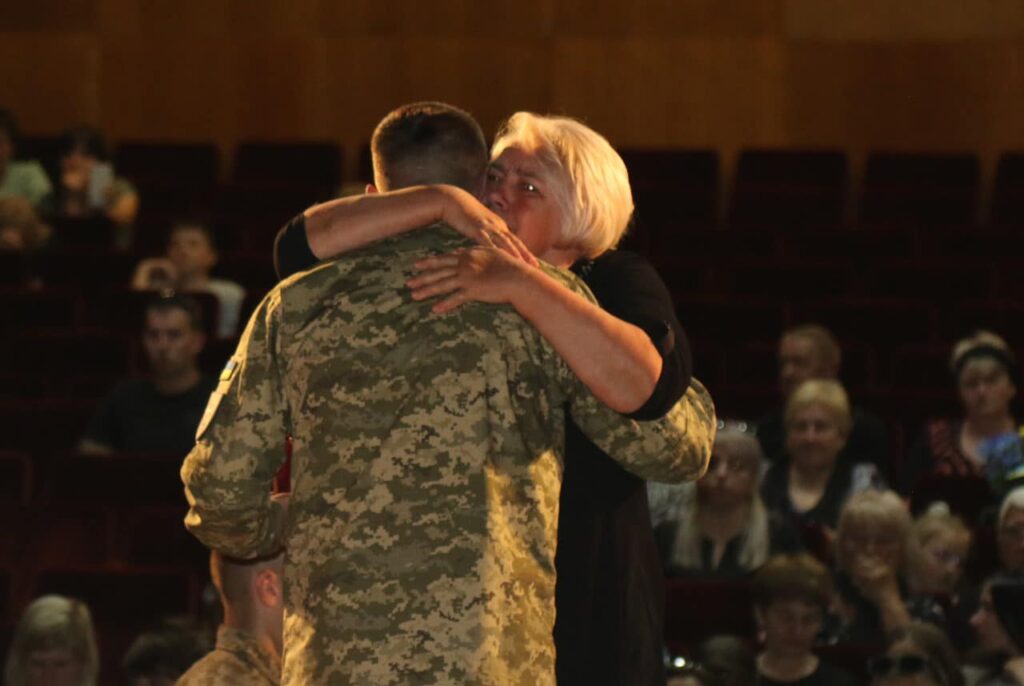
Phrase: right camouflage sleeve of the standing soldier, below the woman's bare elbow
(676,448)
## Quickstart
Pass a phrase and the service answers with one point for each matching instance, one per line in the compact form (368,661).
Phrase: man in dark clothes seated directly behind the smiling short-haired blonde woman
(810,352)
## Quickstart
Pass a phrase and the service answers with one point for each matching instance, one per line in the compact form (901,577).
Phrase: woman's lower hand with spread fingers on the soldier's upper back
(481,275)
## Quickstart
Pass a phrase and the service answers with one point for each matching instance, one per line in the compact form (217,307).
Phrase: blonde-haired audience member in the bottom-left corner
(55,645)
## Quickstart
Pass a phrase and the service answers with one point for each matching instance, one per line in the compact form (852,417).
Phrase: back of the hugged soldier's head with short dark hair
(429,143)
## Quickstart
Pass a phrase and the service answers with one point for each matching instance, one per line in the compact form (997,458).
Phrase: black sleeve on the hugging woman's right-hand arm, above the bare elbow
(628,287)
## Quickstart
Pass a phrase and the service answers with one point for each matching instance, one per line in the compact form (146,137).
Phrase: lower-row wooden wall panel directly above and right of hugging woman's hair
(719,93)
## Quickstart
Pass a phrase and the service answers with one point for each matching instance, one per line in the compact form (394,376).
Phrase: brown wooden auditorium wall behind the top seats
(727,74)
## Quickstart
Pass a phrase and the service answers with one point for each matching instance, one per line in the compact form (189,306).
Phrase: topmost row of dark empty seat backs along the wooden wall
(681,187)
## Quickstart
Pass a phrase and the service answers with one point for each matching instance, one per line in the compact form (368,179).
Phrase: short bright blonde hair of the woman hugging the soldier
(592,185)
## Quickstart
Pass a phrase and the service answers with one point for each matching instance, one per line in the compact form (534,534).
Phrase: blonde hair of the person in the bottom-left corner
(54,623)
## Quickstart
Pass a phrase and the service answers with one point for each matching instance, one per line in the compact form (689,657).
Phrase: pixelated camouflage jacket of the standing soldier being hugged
(426,471)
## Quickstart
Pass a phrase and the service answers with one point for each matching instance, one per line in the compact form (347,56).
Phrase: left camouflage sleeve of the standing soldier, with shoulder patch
(240,447)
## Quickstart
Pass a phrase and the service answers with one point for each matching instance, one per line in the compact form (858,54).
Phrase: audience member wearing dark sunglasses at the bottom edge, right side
(918,656)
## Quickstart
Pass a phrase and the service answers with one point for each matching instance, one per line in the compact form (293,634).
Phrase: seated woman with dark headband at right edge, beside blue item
(986,371)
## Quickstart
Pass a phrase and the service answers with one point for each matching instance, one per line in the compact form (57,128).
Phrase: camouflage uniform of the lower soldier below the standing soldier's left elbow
(236,661)
